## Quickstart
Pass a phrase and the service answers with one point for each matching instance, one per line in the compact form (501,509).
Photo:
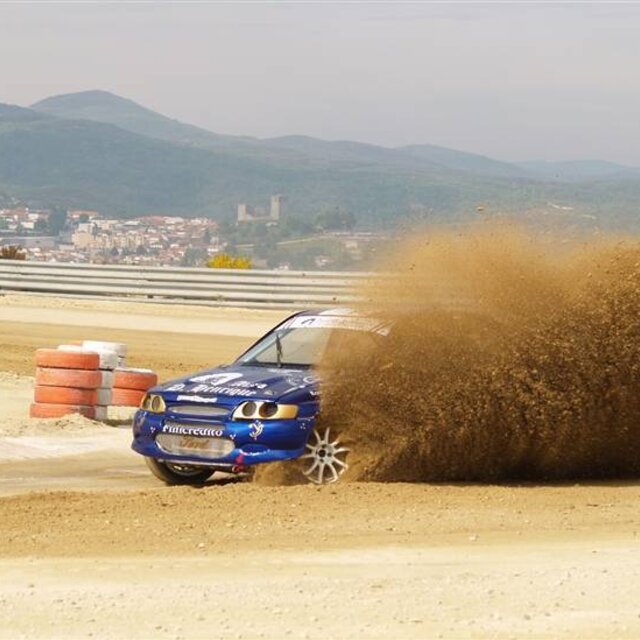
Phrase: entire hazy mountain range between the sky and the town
(96,150)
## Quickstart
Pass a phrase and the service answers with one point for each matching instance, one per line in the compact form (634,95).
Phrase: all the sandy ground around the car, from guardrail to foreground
(93,546)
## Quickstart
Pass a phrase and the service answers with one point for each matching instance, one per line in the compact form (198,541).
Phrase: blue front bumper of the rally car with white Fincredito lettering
(255,442)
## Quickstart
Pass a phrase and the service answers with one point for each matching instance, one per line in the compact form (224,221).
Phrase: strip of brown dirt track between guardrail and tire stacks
(168,339)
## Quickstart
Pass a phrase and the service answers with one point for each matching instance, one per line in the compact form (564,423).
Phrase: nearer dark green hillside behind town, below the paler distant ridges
(48,161)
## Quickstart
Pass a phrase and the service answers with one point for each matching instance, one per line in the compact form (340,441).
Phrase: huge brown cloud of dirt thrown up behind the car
(509,357)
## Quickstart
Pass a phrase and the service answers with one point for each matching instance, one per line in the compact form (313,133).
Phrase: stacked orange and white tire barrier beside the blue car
(86,379)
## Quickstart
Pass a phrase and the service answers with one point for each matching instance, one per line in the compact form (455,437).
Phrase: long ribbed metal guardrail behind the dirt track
(214,287)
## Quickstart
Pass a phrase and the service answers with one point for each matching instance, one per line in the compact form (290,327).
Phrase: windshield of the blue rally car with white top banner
(298,345)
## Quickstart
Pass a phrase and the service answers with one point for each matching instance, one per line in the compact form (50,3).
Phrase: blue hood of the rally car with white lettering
(244,382)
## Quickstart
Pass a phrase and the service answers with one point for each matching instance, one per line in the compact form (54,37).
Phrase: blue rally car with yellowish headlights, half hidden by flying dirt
(261,408)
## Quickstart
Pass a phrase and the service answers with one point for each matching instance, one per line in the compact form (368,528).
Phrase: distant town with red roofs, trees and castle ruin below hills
(261,236)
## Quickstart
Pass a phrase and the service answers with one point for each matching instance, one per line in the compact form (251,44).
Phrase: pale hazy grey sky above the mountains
(543,81)
